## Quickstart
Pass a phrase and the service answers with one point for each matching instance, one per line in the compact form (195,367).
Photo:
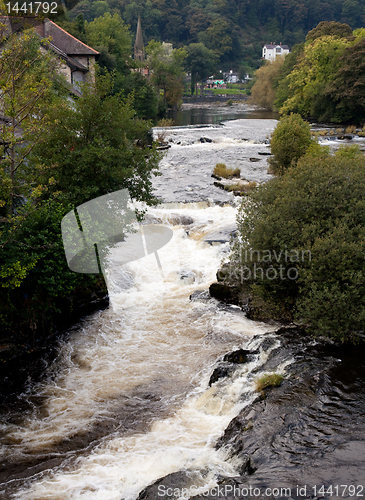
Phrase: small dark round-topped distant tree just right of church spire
(200,62)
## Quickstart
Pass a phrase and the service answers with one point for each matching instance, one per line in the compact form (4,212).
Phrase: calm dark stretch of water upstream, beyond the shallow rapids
(213,114)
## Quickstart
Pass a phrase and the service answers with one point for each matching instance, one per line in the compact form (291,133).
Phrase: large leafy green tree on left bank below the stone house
(98,146)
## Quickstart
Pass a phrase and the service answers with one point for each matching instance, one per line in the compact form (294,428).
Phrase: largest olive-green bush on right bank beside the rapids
(301,244)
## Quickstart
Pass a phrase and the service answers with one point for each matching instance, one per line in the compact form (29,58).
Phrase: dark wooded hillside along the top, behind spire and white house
(234,29)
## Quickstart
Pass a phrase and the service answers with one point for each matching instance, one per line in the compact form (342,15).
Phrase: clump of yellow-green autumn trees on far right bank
(322,79)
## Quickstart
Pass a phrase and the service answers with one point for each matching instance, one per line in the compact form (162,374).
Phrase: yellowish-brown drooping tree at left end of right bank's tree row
(263,91)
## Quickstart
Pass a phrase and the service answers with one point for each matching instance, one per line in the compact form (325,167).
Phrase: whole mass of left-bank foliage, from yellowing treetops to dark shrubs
(56,154)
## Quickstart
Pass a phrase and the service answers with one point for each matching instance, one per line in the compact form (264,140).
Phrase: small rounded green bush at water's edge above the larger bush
(289,141)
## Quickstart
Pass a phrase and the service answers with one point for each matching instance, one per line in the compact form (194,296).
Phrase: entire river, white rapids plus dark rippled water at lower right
(128,399)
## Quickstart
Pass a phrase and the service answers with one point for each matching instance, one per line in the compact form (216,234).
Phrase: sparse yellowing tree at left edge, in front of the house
(28,80)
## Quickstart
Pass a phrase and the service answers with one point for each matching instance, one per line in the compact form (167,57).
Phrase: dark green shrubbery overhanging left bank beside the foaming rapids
(37,285)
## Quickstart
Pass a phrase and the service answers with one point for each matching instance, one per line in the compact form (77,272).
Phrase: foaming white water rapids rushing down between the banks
(141,368)
